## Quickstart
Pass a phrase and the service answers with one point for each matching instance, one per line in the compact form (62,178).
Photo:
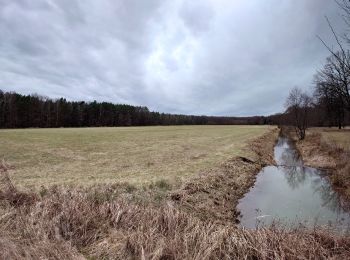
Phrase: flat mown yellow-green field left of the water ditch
(137,155)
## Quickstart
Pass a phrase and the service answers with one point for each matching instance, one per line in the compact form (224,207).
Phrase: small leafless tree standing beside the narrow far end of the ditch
(298,104)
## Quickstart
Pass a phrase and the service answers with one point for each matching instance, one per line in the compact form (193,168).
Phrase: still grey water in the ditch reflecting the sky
(292,194)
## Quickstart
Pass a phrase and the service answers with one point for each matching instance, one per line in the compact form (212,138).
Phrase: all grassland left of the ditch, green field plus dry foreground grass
(108,221)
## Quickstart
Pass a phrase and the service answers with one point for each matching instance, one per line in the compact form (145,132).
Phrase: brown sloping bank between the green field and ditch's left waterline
(214,195)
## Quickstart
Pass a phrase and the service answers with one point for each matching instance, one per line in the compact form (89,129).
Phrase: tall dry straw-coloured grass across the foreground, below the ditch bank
(73,224)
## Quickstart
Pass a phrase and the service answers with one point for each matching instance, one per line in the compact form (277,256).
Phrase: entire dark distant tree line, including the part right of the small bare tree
(26,111)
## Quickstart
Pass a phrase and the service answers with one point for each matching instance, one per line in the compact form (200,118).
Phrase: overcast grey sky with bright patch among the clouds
(208,57)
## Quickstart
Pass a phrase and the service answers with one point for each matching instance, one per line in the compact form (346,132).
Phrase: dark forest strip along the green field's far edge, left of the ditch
(24,111)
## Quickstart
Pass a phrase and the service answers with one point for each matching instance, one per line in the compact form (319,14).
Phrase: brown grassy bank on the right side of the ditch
(334,160)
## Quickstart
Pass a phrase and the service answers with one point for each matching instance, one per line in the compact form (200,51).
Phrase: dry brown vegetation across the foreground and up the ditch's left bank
(120,222)
